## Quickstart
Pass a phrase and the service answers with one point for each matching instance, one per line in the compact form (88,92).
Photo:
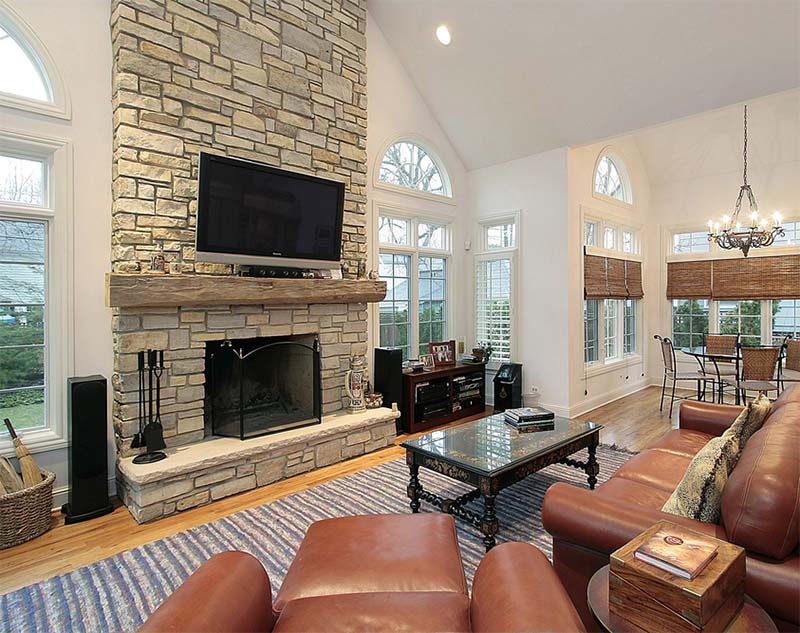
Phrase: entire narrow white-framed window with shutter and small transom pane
(494,287)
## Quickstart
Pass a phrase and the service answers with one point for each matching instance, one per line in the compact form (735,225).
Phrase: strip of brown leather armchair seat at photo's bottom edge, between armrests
(408,611)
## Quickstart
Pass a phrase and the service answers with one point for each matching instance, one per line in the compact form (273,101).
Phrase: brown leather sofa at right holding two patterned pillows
(760,505)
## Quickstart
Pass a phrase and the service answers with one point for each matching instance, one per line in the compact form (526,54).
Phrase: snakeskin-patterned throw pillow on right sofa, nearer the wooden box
(699,494)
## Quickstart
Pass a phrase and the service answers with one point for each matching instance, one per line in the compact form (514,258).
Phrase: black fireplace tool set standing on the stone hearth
(151,432)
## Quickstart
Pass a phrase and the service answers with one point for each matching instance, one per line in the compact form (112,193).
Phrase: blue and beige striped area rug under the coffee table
(117,594)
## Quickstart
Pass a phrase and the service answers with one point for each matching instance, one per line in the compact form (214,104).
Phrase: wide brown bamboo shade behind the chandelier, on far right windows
(756,278)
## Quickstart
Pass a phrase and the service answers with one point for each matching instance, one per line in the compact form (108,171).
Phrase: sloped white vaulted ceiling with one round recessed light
(526,76)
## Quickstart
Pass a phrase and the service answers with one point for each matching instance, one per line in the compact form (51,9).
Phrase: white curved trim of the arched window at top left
(59,105)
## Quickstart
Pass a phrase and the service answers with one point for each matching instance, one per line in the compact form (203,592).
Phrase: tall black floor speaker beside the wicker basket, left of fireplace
(88,449)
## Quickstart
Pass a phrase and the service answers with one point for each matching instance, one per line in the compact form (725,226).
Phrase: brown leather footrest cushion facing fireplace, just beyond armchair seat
(376,553)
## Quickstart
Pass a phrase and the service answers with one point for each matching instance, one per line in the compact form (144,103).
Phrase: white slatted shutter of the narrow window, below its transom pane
(493,283)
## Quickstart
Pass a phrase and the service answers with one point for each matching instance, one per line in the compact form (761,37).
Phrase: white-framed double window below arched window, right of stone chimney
(414,261)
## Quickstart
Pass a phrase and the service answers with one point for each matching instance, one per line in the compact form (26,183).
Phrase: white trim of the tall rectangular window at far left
(59,333)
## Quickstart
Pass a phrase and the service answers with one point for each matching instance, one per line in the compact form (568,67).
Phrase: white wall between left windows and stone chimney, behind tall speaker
(77,36)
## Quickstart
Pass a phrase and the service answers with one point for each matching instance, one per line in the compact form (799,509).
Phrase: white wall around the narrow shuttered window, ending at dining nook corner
(536,186)
